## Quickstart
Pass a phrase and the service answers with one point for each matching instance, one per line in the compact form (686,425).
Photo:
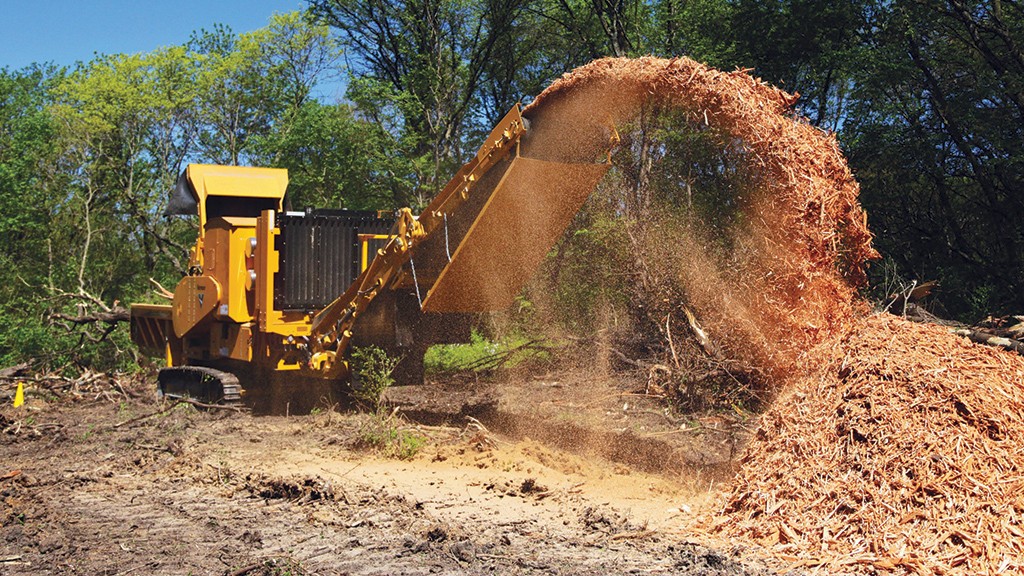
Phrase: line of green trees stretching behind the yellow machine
(927,99)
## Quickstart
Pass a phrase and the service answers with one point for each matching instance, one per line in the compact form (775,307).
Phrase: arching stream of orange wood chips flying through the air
(805,233)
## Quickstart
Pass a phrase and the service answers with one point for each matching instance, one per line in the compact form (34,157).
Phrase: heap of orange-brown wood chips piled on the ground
(906,455)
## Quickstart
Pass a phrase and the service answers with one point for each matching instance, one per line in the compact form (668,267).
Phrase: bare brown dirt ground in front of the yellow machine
(587,477)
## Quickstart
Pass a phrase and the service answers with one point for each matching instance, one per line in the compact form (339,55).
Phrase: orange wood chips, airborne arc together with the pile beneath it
(892,447)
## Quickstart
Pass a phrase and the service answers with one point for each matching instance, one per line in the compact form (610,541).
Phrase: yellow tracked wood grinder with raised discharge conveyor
(276,292)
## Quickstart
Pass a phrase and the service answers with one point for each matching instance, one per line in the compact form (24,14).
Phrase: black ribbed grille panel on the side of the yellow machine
(320,256)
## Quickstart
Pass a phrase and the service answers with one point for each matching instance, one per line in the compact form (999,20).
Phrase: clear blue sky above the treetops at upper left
(68,31)
